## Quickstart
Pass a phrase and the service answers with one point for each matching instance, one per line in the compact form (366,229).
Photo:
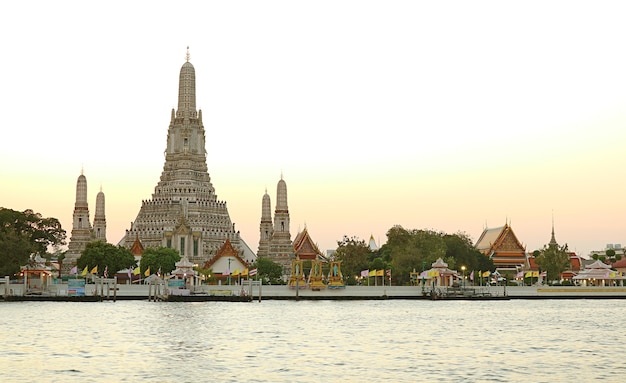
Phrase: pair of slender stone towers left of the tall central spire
(82,230)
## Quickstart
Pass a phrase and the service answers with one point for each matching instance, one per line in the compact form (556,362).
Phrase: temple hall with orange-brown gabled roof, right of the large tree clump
(502,246)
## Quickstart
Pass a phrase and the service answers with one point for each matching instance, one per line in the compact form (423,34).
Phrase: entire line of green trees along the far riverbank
(26,234)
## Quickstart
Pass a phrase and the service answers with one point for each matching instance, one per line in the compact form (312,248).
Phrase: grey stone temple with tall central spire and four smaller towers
(184,212)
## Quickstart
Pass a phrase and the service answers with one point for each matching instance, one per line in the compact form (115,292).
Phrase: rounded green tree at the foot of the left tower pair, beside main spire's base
(105,255)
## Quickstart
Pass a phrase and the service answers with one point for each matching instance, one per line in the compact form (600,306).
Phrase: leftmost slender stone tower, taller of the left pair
(81,227)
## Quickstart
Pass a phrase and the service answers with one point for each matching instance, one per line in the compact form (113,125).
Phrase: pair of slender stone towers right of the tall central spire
(275,238)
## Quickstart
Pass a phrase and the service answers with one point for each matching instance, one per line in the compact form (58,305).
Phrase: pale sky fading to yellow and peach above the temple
(449,116)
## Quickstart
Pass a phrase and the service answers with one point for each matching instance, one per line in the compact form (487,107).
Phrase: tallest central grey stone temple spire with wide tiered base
(184,212)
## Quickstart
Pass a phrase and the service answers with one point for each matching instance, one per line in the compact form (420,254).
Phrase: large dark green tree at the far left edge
(23,234)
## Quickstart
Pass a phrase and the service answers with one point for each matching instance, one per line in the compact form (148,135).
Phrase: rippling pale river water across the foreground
(314,341)
